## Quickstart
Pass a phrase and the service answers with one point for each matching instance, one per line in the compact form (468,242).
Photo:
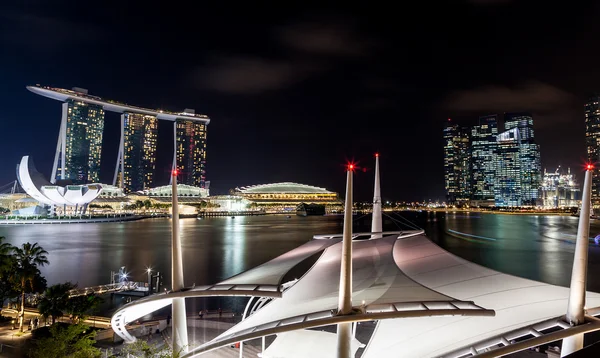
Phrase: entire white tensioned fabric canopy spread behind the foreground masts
(414,269)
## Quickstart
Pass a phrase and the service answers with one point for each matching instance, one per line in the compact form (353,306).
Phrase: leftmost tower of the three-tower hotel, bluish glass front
(84,125)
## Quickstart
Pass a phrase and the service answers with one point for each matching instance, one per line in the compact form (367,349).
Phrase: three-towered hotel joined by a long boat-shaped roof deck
(79,144)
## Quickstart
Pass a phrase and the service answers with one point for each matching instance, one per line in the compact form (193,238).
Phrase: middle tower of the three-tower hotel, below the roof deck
(140,136)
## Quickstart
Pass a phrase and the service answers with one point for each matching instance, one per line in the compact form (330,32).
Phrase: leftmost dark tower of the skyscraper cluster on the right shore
(457,164)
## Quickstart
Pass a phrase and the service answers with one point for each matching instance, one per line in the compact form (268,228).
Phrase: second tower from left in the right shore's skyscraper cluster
(483,149)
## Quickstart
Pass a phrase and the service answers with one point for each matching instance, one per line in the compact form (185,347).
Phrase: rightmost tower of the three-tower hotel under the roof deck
(191,151)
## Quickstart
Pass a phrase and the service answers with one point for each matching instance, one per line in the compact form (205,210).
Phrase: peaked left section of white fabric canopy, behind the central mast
(376,280)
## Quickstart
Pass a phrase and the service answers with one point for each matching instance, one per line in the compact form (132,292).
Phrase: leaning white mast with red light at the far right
(575,310)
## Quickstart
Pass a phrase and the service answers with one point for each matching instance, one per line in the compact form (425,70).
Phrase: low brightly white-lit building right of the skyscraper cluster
(559,190)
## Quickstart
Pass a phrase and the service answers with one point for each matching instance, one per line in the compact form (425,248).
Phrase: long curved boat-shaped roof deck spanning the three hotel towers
(62,94)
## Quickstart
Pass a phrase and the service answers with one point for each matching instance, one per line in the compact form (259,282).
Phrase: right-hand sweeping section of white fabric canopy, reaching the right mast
(517,302)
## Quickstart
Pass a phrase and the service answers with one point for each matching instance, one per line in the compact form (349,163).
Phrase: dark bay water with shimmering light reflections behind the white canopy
(530,246)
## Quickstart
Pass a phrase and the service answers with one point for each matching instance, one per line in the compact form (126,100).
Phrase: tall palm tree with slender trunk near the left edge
(27,259)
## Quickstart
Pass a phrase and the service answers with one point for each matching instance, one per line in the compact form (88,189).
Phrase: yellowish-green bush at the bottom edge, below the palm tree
(74,341)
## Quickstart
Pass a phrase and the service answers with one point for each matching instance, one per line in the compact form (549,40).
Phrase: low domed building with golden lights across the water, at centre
(286,196)
